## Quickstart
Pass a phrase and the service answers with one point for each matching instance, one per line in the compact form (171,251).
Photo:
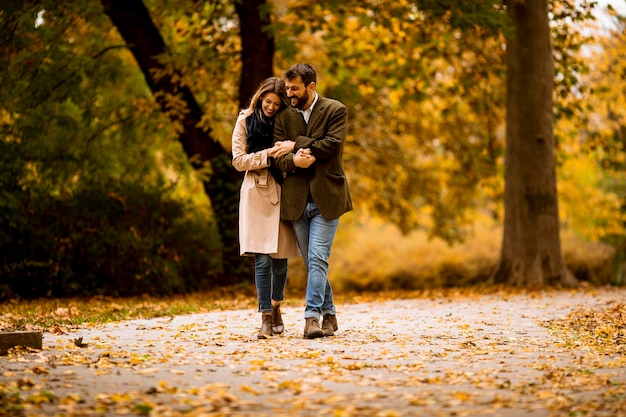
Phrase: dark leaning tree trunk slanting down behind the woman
(134,23)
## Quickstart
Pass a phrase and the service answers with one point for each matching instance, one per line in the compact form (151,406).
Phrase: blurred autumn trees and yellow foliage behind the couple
(101,193)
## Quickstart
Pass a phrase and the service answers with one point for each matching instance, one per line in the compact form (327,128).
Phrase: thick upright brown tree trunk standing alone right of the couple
(531,248)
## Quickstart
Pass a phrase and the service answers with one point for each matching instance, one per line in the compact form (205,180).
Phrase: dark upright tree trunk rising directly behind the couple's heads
(257,47)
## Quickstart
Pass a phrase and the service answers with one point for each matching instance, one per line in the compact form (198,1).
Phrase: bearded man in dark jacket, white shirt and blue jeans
(315,191)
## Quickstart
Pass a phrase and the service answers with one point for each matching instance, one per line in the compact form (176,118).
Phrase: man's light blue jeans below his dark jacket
(315,235)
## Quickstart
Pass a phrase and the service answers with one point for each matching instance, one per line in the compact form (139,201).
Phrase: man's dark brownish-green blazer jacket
(325,135)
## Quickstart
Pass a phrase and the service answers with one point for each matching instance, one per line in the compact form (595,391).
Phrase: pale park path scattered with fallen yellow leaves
(479,355)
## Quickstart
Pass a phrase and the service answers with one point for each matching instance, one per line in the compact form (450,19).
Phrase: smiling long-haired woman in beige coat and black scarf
(261,232)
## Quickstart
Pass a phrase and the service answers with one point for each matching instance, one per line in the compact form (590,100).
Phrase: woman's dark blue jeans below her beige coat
(270,276)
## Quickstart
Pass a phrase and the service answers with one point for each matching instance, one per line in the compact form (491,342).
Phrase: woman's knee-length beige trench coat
(260,227)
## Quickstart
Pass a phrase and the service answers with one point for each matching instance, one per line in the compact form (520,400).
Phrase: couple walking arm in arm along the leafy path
(290,141)
